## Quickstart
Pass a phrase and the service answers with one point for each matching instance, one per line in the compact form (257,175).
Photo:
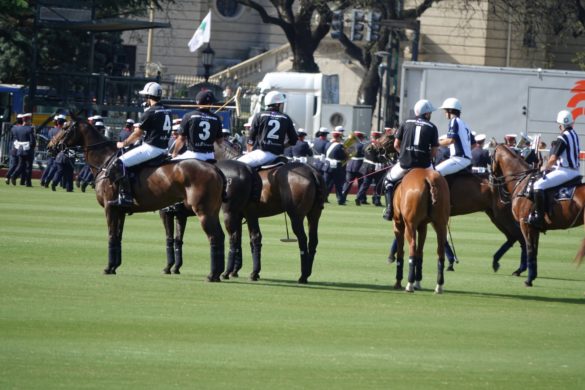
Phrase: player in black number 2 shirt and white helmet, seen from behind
(269,132)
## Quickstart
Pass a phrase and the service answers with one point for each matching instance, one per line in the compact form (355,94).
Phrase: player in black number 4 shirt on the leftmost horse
(156,125)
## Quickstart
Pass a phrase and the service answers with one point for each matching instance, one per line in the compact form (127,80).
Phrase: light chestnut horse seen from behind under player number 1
(421,197)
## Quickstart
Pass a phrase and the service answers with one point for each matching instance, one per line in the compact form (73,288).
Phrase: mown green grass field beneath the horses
(65,325)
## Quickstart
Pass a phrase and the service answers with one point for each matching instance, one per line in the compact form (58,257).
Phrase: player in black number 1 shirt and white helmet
(418,141)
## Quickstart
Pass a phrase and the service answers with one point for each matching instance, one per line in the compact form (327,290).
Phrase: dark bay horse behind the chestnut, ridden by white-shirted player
(471,193)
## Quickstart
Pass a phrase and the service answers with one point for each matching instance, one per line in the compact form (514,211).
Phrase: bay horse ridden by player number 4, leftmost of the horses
(199,185)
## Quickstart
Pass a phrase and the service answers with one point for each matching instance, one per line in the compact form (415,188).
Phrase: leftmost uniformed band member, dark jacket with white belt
(24,142)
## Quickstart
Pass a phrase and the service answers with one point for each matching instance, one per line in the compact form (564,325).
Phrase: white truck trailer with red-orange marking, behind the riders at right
(497,101)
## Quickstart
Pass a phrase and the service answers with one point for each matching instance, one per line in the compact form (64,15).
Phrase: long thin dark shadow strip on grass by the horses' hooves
(362,287)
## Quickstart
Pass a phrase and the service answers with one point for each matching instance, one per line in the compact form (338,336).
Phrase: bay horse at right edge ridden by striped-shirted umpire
(513,174)
